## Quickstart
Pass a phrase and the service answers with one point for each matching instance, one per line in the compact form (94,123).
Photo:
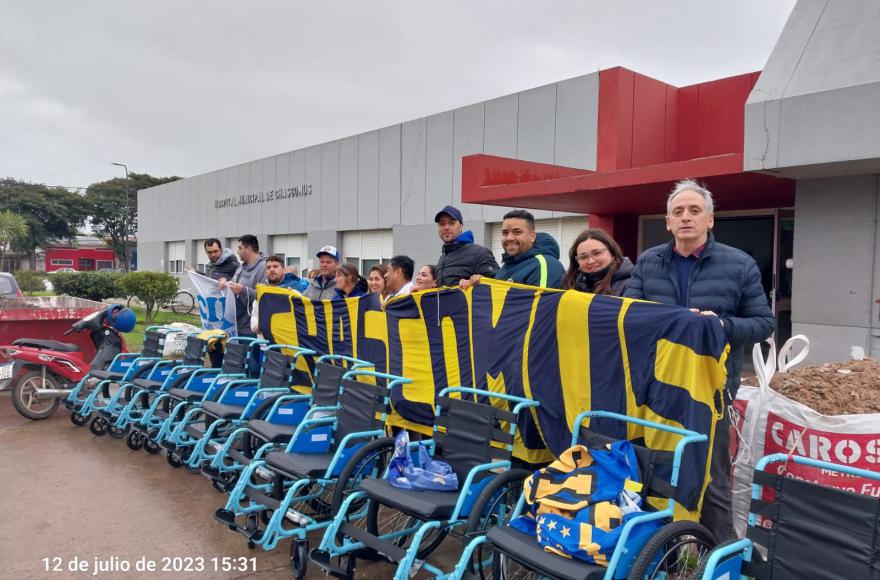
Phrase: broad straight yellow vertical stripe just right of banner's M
(574,354)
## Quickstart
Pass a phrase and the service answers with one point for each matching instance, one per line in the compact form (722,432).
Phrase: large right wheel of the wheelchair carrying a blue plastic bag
(493,507)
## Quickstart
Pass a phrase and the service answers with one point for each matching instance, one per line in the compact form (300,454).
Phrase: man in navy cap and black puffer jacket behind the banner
(461,257)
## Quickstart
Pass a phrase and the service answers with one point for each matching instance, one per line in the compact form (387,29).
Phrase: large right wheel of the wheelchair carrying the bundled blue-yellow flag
(675,551)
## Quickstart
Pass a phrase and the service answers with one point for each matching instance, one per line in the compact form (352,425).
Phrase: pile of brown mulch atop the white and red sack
(845,388)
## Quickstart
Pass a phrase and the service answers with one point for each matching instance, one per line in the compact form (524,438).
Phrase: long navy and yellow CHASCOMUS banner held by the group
(569,350)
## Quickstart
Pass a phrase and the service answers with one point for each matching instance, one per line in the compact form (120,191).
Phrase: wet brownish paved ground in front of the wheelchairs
(72,497)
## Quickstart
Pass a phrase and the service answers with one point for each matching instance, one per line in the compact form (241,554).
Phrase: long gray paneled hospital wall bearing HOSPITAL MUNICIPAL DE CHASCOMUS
(395,176)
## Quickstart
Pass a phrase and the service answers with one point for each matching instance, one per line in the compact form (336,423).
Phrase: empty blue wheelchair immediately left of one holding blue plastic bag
(291,492)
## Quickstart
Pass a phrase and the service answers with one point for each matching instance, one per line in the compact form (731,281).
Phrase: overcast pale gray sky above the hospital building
(174,87)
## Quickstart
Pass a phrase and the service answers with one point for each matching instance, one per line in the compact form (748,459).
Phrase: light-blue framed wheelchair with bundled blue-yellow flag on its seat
(642,551)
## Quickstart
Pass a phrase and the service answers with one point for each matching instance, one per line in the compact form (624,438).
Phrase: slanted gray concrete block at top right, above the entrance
(813,111)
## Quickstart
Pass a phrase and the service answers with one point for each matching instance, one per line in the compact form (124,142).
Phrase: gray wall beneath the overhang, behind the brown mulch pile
(836,277)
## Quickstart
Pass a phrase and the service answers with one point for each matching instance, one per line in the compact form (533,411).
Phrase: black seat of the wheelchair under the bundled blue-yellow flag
(525,549)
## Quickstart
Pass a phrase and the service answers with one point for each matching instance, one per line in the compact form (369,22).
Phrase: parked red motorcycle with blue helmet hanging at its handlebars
(43,372)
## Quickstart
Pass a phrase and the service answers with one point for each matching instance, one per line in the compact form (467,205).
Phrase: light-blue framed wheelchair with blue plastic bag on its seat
(404,526)
